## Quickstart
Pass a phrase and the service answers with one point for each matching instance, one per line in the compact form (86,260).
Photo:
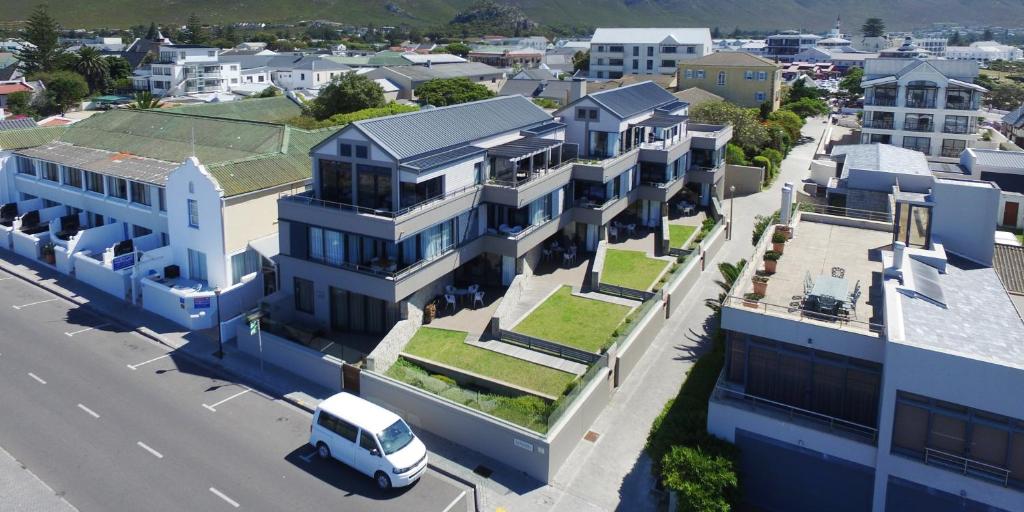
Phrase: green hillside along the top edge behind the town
(813,15)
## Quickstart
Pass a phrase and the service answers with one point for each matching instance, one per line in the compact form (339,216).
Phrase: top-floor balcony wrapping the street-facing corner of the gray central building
(379,224)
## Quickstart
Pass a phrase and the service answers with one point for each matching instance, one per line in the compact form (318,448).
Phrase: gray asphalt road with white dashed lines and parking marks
(114,422)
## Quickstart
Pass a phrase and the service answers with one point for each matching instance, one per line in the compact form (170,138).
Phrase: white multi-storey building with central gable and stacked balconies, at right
(928,105)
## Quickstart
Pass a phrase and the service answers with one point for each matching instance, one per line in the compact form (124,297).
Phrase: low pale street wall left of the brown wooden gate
(312,365)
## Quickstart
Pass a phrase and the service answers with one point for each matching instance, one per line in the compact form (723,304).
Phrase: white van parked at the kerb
(372,440)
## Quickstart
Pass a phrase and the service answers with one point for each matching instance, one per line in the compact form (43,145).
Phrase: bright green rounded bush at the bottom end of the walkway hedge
(706,483)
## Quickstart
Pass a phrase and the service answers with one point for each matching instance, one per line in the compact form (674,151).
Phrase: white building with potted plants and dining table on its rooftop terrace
(880,366)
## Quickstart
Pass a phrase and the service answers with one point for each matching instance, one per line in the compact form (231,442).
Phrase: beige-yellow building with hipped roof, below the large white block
(740,78)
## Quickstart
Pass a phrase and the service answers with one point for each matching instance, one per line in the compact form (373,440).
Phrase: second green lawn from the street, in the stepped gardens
(584,324)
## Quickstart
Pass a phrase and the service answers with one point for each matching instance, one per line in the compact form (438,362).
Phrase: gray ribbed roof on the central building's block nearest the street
(417,134)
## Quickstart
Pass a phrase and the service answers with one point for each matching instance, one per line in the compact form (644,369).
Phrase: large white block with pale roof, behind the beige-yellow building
(615,53)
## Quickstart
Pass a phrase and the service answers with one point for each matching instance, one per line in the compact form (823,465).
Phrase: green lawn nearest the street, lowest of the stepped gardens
(449,348)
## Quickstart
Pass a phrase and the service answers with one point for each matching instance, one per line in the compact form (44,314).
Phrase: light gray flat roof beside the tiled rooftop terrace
(978,322)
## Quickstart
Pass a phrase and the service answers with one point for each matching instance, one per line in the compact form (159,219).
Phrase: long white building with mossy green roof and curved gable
(174,212)
